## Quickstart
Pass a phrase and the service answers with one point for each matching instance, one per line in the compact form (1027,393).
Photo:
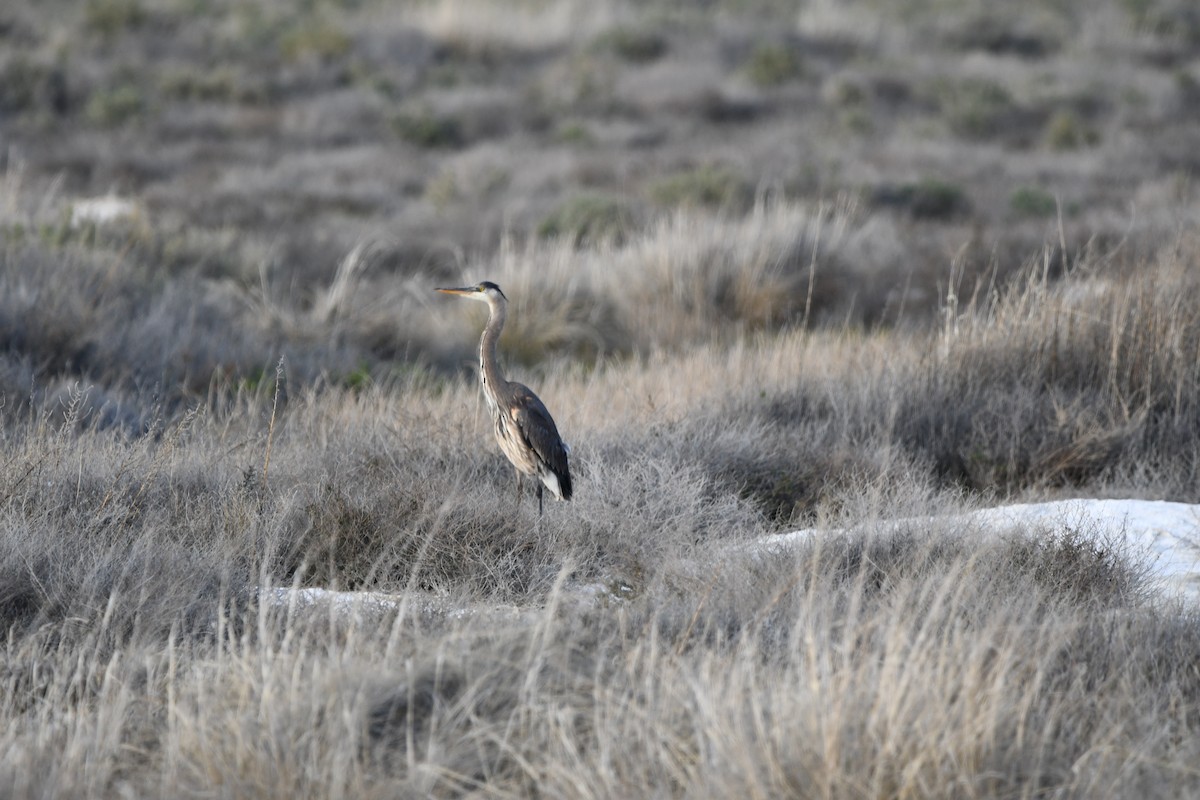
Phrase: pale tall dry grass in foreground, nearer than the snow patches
(905,666)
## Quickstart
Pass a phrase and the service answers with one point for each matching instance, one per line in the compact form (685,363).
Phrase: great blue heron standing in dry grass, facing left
(524,426)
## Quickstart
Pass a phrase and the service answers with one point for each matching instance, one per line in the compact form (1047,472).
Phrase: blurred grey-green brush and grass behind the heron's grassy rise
(248,149)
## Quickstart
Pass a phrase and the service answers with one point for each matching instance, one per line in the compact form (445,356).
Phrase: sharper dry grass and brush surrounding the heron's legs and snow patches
(627,642)
